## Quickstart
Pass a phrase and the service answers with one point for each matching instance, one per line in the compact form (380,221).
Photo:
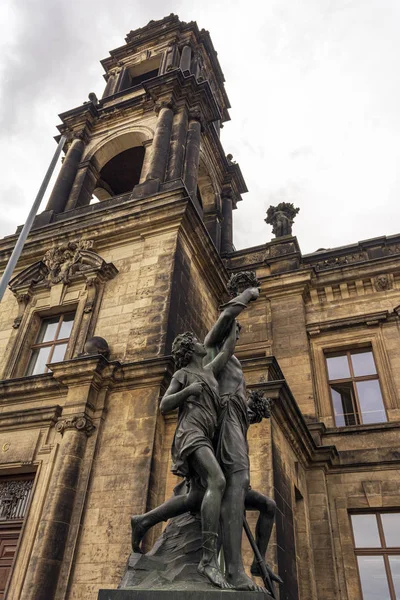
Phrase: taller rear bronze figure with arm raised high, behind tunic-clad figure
(233,455)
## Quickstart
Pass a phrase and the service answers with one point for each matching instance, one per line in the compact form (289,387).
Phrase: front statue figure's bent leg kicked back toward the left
(177,505)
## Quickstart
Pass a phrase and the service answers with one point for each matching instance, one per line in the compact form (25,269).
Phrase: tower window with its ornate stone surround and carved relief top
(58,298)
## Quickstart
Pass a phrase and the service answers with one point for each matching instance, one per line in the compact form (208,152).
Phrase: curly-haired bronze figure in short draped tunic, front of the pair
(194,390)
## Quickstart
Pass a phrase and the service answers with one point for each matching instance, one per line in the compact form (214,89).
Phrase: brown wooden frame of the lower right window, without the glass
(383,550)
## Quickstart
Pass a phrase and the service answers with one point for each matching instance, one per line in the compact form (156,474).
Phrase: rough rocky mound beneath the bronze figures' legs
(172,562)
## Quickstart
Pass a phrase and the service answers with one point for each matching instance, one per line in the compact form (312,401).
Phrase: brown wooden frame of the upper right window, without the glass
(347,351)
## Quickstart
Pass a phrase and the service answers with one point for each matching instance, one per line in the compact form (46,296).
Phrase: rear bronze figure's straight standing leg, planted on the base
(232,512)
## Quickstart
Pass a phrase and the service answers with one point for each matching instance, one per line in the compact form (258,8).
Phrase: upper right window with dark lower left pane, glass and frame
(355,390)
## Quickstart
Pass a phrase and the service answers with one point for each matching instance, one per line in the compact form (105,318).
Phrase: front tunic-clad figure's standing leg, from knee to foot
(204,463)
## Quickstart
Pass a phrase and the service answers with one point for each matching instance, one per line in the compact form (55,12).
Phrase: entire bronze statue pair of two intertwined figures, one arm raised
(210,448)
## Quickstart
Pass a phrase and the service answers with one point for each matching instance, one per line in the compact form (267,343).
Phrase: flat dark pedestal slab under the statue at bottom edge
(214,594)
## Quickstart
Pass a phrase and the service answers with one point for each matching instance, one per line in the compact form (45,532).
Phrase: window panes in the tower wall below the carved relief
(51,343)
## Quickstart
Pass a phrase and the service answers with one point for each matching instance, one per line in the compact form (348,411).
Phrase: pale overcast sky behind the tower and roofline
(314,87)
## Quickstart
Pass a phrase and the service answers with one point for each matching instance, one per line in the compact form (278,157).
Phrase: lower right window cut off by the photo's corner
(377,548)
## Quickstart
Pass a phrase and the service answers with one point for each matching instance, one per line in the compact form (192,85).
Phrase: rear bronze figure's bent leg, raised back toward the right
(267,508)
